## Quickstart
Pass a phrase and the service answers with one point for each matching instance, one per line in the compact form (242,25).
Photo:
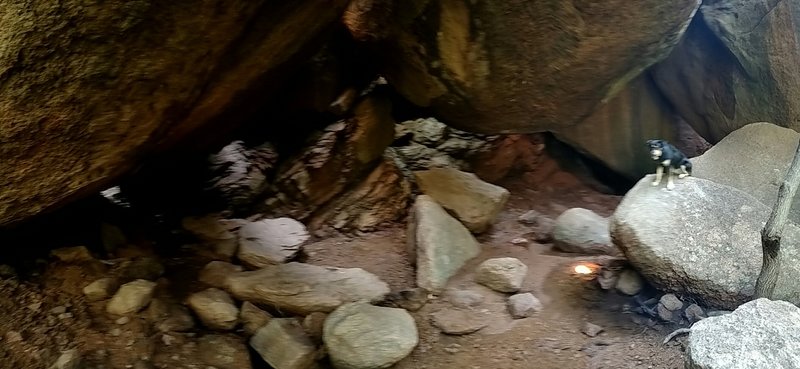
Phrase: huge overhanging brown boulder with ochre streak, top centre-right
(511,66)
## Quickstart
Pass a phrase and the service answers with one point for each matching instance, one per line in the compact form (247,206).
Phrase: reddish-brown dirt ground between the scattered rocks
(44,311)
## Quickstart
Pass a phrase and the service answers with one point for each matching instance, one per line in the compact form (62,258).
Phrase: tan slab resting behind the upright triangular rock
(474,202)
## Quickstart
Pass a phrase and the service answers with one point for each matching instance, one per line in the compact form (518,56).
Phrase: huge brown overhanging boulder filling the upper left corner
(129,80)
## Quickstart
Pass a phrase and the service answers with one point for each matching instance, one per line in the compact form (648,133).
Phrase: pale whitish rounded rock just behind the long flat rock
(270,241)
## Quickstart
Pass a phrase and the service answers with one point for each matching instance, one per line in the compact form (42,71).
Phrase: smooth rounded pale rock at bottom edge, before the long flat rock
(362,336)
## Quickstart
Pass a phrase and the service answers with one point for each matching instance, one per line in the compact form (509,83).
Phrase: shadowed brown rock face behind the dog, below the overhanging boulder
(616,131)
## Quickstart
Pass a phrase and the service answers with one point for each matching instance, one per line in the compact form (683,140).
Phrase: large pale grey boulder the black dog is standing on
(701,239)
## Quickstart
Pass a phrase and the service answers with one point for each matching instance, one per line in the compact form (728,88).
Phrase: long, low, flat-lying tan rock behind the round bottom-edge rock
(304,288)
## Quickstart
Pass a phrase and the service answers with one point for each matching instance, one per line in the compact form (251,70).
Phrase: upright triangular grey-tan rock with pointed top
(438,243)
